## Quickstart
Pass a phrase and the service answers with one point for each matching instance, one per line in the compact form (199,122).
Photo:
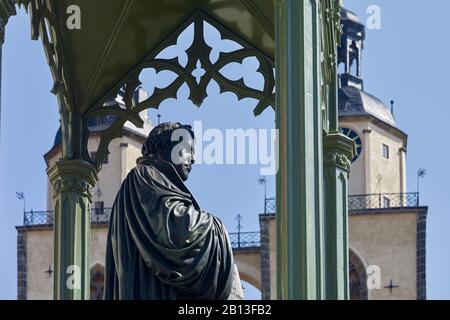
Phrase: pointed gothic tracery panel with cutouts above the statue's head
(198,68)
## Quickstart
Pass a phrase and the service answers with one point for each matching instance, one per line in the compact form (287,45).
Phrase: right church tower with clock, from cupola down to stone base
(387,225)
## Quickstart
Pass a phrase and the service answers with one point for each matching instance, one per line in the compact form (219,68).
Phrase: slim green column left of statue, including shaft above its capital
(72,178)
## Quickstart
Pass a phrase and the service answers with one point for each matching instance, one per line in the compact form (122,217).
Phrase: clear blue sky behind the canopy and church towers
(406,60)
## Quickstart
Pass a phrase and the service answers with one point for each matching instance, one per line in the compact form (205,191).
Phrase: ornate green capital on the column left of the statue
(72,176)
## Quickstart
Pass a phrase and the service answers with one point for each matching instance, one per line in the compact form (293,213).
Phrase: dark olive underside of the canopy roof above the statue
(116,35)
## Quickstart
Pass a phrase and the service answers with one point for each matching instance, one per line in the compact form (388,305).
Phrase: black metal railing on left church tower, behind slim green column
(36,218)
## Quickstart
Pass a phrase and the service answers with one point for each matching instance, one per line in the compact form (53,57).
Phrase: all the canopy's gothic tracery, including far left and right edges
(197,71)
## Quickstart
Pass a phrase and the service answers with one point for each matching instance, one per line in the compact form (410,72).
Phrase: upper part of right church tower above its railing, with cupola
(380,165)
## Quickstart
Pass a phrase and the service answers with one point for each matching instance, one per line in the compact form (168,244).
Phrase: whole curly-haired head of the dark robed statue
(174,143)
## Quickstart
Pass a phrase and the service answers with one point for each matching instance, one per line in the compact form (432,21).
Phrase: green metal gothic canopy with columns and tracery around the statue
(117,39)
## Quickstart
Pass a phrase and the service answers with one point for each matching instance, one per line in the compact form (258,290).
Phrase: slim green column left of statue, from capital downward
(72,182)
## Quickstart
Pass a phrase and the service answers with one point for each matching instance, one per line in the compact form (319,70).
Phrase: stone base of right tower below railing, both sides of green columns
(385,238)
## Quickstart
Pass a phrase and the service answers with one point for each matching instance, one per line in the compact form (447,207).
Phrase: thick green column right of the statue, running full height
(299,180)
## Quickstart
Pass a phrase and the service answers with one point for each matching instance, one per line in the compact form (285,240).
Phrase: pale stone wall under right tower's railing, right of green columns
(387,239)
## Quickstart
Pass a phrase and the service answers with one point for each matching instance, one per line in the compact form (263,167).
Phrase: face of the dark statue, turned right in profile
(182,157)
